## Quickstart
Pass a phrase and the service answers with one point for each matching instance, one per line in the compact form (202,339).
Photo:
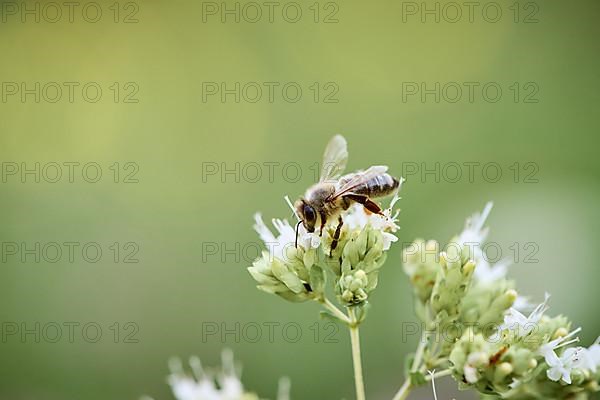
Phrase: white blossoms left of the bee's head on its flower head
(286,237)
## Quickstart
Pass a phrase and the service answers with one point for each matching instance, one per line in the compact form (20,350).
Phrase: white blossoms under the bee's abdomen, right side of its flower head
(357,218)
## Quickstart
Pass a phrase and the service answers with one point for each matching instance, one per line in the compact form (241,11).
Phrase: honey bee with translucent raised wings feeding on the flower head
(328,198)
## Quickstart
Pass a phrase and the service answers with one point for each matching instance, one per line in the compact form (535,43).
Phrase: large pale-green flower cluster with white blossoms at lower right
(480,333)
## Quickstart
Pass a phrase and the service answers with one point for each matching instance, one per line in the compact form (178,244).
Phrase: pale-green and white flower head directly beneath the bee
(299,273)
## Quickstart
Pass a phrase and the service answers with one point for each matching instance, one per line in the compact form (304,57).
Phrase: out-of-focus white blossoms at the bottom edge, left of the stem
(204,385)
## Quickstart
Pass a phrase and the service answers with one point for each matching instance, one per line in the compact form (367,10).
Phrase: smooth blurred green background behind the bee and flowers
(173,211)
